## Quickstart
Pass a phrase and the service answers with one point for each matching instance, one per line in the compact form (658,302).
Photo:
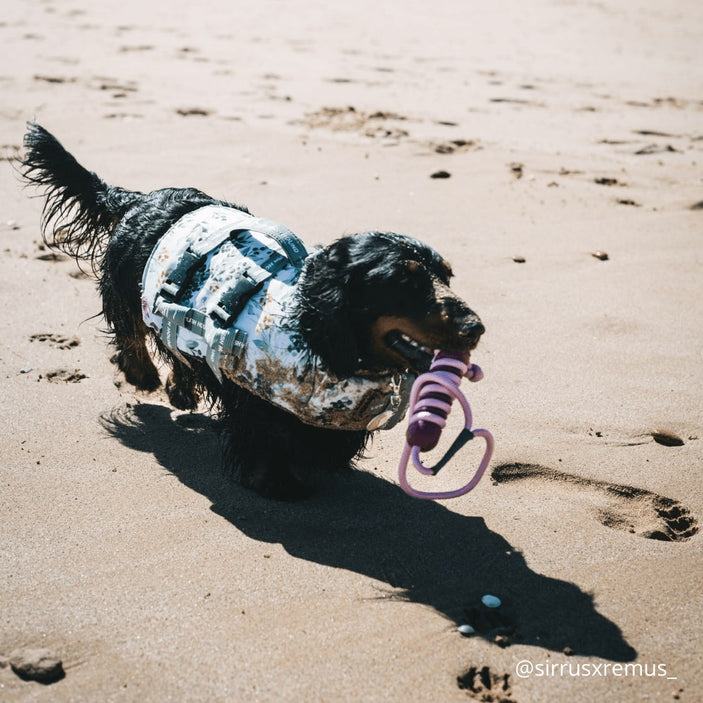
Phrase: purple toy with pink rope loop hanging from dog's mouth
(430,402)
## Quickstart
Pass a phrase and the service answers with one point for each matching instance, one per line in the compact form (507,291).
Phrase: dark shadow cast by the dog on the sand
(423,551)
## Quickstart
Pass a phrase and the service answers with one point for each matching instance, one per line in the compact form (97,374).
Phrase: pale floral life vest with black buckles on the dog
(220,285)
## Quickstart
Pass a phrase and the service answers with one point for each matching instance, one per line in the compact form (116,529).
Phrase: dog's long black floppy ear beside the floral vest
(325,318)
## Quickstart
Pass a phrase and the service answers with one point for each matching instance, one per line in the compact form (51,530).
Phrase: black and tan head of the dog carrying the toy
(381,301)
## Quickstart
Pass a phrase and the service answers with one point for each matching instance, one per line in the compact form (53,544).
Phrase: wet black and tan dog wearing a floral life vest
(303,354)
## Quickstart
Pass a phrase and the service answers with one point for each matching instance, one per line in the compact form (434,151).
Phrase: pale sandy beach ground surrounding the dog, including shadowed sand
(567,127)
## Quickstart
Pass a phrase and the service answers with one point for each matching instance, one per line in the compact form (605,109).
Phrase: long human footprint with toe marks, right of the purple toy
(626,508)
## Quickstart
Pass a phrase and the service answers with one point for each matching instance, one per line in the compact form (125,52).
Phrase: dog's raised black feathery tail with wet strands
(80,209)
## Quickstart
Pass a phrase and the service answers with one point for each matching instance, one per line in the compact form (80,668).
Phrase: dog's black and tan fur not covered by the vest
(353,301)
